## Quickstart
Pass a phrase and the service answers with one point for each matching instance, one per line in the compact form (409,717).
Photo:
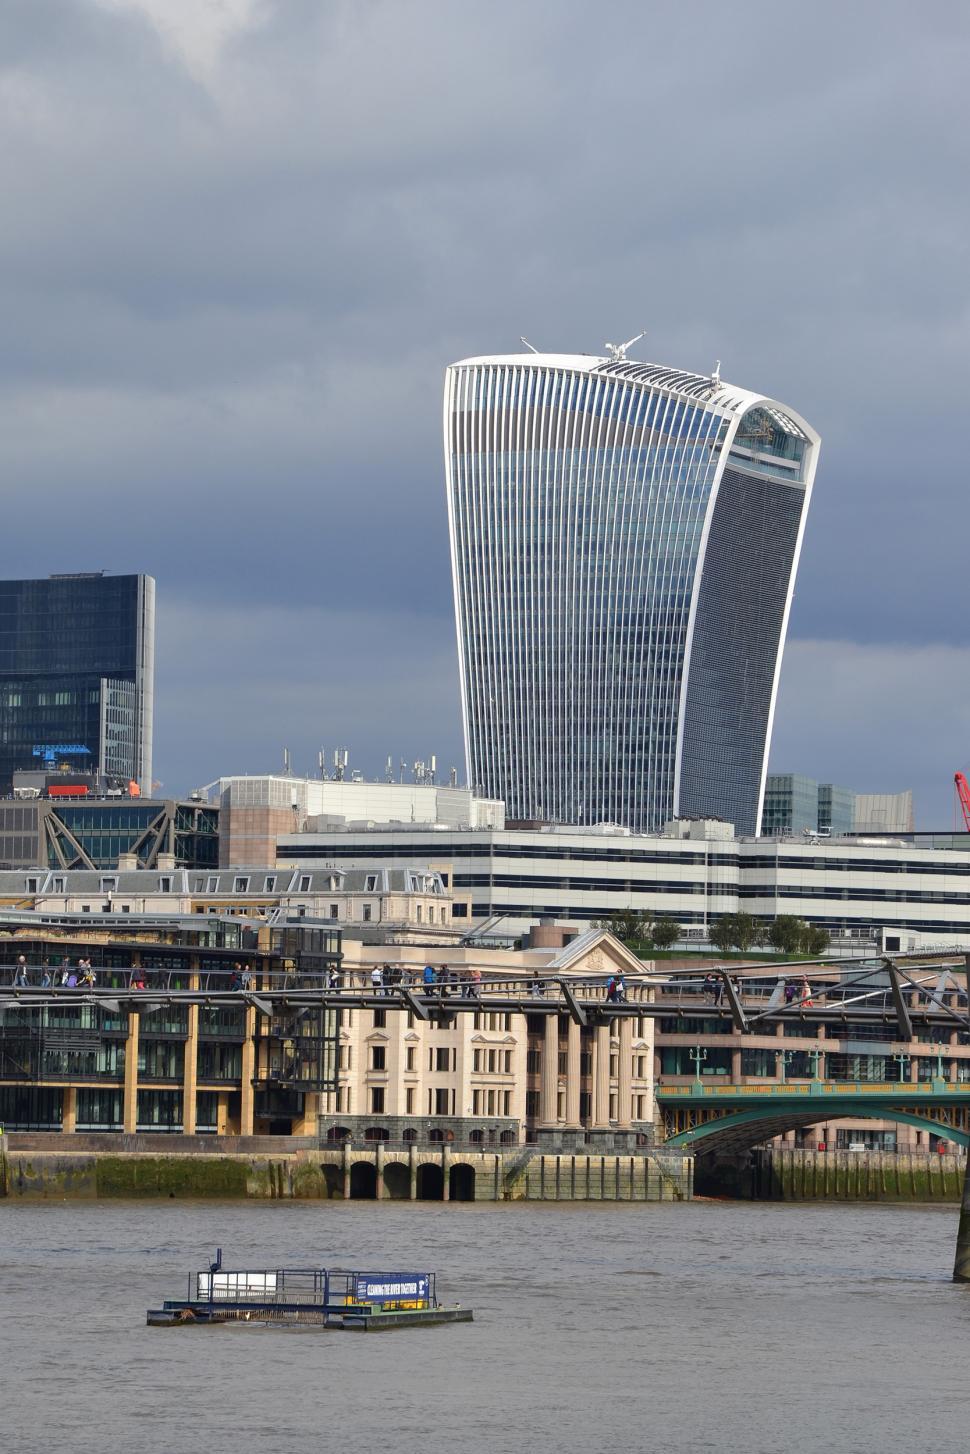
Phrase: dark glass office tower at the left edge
(76,675)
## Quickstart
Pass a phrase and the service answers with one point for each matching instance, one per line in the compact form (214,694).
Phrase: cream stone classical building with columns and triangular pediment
(494,1077)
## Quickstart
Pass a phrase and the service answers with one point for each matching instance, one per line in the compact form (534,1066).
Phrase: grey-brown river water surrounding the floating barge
(725,1327)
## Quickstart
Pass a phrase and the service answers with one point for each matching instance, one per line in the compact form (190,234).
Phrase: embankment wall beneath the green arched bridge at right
(787,1174)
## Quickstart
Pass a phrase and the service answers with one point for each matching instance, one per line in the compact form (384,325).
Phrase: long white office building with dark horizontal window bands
(898,893)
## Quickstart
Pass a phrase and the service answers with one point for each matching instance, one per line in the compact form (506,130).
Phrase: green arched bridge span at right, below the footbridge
(737,1117)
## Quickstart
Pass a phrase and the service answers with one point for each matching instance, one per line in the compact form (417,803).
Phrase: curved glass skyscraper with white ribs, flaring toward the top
(625,542)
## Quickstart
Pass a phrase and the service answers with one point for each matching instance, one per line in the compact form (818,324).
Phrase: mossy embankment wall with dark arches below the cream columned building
(34,1167)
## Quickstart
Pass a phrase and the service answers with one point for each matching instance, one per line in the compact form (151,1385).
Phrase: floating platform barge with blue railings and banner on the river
(338,1299)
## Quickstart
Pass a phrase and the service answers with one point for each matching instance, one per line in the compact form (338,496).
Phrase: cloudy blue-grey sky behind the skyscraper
(244,239)
